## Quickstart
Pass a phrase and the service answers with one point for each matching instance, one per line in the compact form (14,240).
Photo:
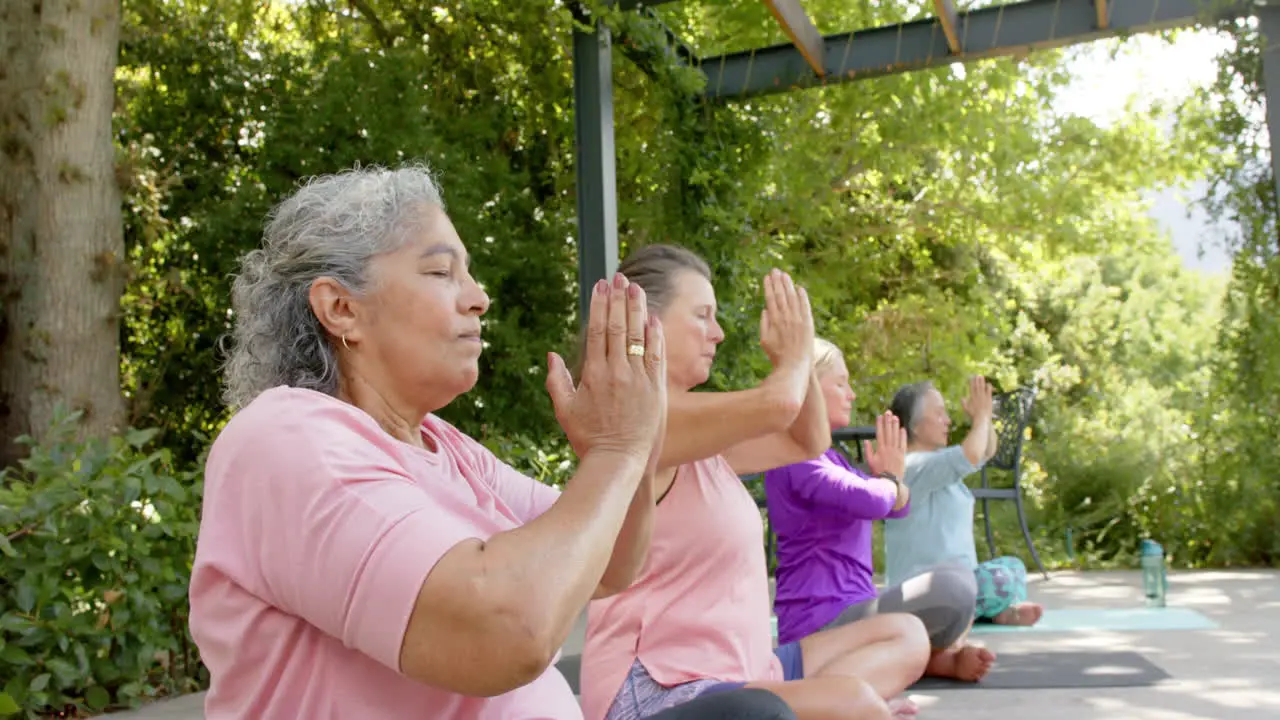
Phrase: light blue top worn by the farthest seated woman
(940,527)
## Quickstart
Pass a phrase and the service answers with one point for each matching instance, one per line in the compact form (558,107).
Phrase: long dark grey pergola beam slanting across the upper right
(988,33)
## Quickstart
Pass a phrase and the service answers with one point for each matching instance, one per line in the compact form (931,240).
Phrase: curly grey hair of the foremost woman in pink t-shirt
(333,226)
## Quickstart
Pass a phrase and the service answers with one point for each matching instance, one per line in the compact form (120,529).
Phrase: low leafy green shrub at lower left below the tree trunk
(97,545)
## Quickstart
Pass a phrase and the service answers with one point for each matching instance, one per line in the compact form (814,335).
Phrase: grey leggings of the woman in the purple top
(943,599)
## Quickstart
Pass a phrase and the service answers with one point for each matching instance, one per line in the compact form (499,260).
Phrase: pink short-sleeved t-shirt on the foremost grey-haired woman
(318,531)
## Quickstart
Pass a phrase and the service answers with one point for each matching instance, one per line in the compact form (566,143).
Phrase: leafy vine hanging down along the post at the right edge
(1241,422)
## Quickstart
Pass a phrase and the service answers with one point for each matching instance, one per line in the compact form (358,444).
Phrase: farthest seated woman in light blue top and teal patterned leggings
(940,527)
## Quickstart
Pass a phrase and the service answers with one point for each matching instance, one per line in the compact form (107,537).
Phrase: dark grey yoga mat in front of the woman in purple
(1043,671)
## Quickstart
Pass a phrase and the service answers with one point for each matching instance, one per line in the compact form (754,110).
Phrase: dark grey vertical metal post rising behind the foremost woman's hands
(597,181)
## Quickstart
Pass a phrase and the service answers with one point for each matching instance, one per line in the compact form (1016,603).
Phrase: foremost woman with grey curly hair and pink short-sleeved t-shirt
(362,558)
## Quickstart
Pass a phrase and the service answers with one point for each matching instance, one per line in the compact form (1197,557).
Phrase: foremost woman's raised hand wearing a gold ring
(620,403)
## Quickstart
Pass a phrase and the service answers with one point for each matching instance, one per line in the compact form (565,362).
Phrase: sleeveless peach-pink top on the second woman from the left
(701,605)
